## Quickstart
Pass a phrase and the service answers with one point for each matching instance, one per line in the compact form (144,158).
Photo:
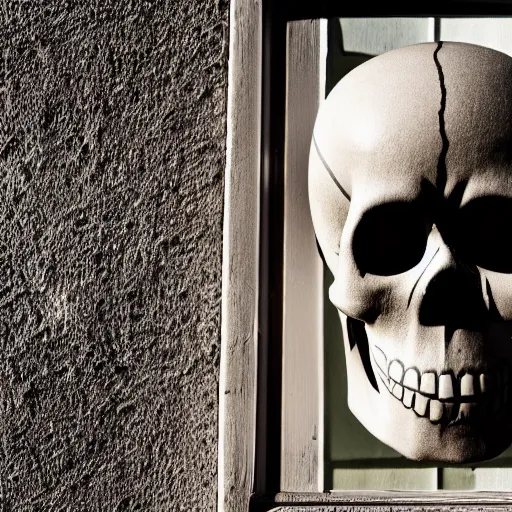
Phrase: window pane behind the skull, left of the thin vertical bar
(355,458)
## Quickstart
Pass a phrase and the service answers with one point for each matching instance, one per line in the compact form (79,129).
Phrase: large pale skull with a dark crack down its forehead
(410,185)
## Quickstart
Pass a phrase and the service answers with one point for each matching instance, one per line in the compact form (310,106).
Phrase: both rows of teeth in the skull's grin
(438,396)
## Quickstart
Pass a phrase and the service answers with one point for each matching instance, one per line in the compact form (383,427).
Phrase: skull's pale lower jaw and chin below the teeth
(417,438)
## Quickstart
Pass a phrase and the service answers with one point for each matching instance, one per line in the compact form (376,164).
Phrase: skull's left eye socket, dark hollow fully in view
(391,238)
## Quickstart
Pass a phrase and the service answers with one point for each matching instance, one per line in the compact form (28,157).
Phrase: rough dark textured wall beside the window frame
(112,141)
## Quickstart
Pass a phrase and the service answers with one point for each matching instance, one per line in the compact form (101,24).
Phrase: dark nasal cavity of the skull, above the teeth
(454,297)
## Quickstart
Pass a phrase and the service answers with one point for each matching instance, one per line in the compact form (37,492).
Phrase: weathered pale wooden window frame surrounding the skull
(244,390)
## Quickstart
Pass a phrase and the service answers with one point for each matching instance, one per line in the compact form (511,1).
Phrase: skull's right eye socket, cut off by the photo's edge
(484,233)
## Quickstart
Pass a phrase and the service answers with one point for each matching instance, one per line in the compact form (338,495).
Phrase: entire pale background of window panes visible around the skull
(355,459)
